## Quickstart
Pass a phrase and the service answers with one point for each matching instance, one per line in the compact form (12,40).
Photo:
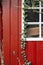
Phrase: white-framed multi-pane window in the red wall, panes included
(33,14)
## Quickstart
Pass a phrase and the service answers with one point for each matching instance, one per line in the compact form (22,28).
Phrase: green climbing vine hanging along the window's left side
(23,42)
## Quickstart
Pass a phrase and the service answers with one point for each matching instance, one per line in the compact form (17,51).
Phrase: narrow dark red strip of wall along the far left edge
(0,31)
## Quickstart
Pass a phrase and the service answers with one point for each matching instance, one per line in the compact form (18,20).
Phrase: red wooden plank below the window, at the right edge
(39,53)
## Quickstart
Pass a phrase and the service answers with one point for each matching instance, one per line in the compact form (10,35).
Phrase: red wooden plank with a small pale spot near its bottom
(14,32)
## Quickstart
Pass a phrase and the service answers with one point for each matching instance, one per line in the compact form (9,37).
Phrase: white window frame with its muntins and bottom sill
(33,38)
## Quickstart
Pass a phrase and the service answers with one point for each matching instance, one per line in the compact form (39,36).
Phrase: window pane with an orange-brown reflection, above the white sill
(32,31)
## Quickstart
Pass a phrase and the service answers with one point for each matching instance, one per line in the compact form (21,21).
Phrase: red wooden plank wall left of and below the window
(12,13)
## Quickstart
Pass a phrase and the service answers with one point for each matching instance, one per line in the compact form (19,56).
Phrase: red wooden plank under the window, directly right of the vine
(31,53)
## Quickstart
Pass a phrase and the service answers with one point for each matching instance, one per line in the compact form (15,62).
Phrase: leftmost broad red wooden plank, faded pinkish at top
(6,31)
